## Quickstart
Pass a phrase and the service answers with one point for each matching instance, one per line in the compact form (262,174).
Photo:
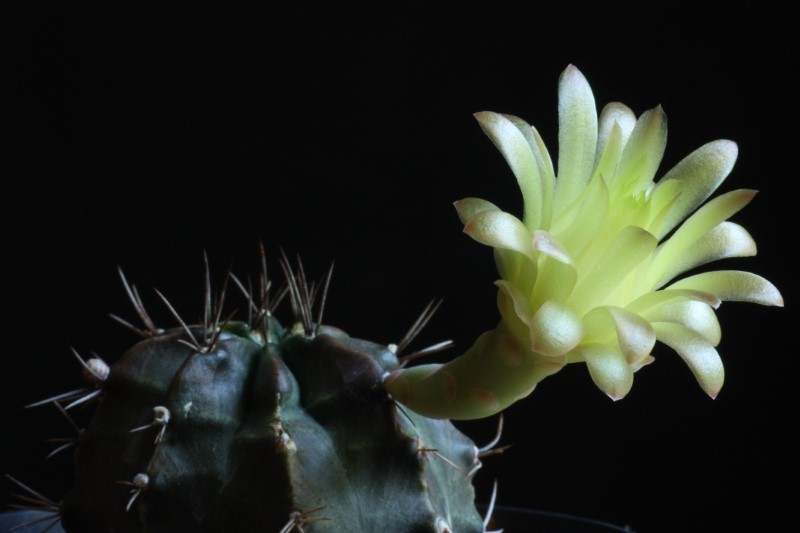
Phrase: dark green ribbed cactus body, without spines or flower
(289,434)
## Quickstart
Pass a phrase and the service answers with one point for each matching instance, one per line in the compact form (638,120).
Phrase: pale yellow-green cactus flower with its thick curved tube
(602,263)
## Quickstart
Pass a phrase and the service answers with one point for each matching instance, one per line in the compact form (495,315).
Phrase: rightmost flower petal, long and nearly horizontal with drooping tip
(734,286)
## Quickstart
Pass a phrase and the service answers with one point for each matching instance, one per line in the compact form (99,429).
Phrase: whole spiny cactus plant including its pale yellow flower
(246,426)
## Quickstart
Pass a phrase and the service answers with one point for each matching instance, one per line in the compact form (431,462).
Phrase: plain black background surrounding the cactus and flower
(141,136)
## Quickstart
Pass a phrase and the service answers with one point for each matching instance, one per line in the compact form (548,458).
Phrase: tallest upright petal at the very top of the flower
(577,137)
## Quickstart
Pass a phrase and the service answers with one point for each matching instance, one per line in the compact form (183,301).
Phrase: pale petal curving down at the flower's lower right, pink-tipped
(701,357)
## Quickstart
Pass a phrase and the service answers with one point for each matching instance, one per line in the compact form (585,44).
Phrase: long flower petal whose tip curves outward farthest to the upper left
(517,151)
